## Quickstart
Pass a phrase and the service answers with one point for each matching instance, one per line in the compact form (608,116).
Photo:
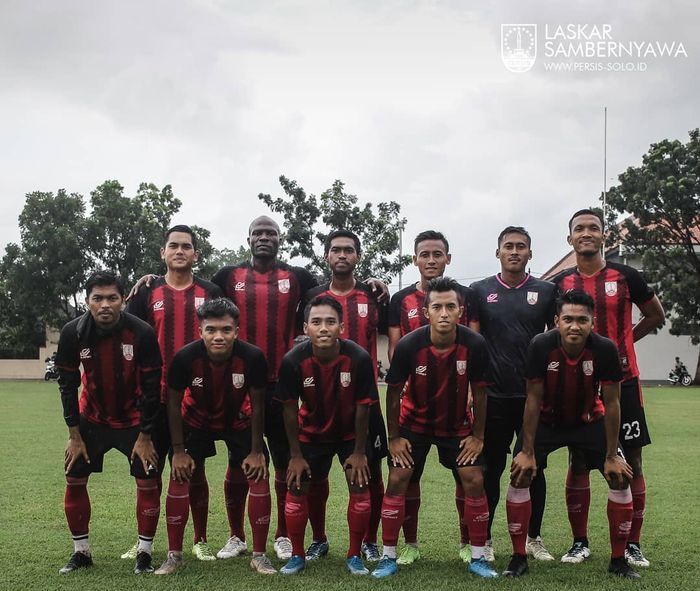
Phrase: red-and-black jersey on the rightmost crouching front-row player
(572,386)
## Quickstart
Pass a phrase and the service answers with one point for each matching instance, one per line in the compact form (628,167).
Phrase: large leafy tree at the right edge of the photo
(663,197)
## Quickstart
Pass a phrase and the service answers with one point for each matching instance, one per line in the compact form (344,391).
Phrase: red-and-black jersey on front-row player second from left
(217,394)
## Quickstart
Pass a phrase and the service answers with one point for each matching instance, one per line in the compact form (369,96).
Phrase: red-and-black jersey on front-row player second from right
(436,384)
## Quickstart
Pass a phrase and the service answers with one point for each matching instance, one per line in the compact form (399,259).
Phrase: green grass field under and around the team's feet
(35,543)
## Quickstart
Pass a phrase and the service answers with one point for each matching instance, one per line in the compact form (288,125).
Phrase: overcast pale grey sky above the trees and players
(405,101)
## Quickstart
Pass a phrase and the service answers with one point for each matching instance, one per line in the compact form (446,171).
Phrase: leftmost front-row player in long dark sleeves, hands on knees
(121,381)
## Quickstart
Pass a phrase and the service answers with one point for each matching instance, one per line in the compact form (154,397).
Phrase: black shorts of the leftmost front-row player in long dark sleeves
(99,439)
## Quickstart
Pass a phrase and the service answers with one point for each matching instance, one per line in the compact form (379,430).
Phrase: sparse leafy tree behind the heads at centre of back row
(308,220)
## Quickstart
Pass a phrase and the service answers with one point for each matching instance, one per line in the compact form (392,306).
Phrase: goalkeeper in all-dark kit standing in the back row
(513,308)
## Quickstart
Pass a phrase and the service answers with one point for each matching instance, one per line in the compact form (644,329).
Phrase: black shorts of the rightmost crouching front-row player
(588,438)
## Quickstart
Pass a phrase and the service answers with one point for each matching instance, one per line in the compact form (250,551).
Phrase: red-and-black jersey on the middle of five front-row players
(329,392)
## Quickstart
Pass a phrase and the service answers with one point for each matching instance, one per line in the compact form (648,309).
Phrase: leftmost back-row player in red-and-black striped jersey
(169,304)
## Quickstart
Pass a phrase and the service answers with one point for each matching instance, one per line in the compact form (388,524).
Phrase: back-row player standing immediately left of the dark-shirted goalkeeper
(432,255)
